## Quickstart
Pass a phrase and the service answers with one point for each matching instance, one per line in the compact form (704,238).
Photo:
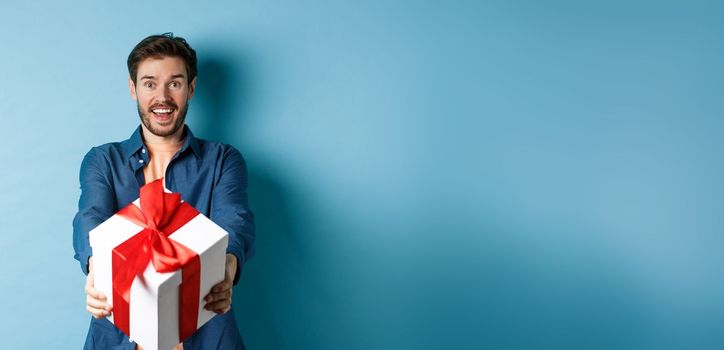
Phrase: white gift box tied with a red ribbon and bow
(155,260)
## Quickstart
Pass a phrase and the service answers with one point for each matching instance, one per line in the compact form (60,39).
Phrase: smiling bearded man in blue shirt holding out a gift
(210,176)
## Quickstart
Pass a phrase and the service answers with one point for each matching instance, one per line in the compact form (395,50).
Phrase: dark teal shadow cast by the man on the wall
(281,300)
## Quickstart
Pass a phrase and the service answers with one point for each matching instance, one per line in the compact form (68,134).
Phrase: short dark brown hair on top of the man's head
(159,46)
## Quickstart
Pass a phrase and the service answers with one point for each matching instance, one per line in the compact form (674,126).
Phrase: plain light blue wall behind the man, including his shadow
(425,175)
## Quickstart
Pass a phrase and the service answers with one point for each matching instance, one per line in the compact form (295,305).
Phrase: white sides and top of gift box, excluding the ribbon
(154,302)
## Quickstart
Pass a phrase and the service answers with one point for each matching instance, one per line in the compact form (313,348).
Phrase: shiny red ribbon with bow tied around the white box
(160,215)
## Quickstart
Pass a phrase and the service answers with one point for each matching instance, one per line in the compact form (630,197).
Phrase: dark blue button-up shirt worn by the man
(210,176)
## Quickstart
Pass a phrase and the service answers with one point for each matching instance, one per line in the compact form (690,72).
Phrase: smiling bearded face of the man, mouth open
(162,92)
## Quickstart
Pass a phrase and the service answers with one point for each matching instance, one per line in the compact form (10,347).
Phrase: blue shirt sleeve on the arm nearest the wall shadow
(230,207)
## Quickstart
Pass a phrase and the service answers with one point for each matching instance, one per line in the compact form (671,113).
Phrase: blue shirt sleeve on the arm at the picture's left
(96,203)
